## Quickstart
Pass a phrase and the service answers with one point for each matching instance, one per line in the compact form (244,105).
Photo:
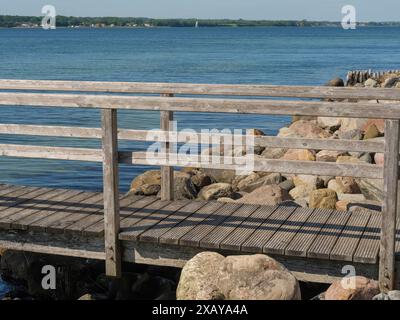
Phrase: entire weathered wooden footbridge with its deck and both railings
(314,244)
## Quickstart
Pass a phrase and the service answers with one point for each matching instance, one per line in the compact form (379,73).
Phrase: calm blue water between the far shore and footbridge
(206,55)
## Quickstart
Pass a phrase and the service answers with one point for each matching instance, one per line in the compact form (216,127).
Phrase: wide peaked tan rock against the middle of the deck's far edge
(266,195)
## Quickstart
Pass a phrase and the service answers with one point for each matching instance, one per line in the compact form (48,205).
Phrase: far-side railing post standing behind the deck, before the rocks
(167,172)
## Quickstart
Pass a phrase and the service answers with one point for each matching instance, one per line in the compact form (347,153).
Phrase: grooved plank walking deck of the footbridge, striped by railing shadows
(281,230)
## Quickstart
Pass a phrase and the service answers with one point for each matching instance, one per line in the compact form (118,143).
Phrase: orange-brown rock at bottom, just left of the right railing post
(364,289)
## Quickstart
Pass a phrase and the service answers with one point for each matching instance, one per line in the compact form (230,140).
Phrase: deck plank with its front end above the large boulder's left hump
(216,236)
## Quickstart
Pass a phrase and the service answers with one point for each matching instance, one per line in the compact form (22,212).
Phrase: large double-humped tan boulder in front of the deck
(210,276)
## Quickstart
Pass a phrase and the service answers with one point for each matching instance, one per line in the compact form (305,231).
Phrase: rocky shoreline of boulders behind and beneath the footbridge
(244,277)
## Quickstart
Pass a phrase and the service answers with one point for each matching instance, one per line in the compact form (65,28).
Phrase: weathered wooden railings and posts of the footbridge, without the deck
(243,99)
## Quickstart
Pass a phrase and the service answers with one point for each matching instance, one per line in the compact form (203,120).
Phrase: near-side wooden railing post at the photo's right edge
(389,208)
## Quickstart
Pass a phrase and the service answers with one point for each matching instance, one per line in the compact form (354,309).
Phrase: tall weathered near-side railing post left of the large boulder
(111,193)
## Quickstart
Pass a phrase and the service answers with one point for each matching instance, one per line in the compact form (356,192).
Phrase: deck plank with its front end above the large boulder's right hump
(267,229)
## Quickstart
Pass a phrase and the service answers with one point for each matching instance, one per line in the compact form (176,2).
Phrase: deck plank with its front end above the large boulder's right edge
(307,233)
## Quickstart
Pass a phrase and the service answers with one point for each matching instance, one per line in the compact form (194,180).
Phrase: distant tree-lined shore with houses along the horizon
(7,21)
